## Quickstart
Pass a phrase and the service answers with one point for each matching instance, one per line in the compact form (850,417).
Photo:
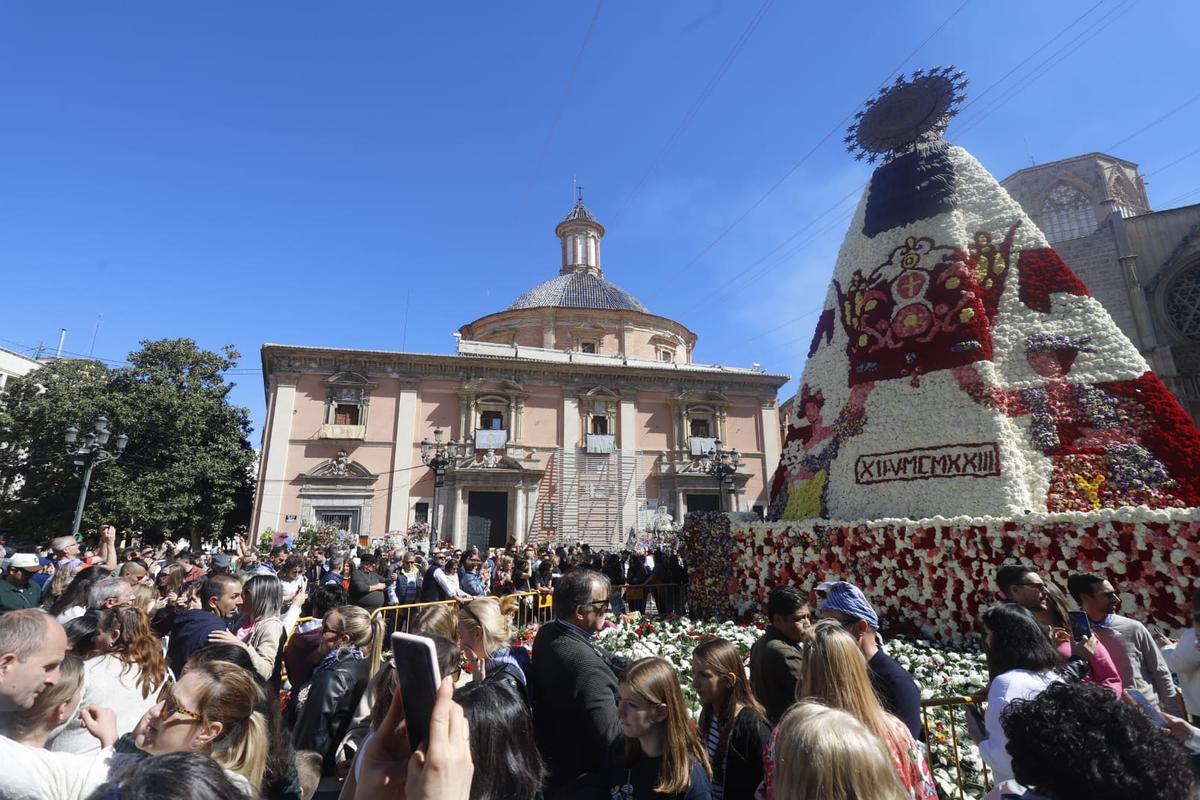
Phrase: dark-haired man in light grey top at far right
(1131,646)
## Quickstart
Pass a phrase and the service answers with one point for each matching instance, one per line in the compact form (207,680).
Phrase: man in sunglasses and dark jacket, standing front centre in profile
(574,689)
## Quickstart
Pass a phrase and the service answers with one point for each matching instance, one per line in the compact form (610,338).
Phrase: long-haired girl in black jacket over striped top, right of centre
(733,723)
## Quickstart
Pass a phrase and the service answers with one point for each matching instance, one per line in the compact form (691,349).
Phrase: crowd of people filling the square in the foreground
(159,673)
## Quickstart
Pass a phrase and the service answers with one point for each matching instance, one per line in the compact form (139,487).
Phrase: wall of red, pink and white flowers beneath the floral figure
(933,578)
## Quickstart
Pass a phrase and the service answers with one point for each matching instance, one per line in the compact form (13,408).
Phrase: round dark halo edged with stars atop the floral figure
(905,115)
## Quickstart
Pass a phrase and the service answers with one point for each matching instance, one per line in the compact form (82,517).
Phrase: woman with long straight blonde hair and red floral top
(836,675)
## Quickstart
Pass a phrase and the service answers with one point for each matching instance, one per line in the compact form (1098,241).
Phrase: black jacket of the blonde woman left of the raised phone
(328,711)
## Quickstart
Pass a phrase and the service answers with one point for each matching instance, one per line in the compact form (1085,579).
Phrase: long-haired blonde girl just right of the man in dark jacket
(664,757)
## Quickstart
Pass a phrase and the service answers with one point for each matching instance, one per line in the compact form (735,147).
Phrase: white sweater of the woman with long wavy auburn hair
(106,683)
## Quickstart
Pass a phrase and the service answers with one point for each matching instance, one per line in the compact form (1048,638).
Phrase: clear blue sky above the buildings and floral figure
(303,172)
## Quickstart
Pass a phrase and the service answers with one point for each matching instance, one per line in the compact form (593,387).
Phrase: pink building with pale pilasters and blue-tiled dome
(580,416)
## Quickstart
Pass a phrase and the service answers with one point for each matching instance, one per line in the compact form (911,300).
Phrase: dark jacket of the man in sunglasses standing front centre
(573,690)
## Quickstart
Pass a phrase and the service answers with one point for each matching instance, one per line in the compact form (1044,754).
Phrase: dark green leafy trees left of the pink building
(188,471)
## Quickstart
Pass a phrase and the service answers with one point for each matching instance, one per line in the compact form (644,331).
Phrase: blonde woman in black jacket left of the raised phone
(352,645)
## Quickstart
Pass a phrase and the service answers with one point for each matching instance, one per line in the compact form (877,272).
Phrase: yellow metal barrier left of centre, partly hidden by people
(538,607)
